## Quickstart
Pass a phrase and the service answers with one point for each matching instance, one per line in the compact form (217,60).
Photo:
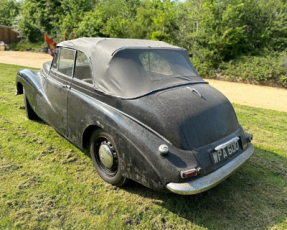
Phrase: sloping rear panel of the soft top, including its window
(135,72)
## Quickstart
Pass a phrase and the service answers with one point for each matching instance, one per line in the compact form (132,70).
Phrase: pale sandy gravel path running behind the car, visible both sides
(244,94)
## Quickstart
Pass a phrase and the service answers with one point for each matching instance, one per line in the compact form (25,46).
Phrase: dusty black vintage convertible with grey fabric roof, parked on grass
(142,110)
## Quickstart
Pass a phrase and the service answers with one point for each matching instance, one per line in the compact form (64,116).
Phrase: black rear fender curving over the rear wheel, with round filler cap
(137,144)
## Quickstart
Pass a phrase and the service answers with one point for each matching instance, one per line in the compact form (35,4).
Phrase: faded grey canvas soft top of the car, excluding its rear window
(117,69)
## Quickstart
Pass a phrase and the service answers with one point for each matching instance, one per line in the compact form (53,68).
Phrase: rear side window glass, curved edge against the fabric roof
(83,70)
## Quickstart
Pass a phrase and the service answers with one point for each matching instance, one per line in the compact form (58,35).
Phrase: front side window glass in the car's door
(66,61)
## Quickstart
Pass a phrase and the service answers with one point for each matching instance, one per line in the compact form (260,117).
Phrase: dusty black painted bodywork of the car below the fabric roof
(190,122)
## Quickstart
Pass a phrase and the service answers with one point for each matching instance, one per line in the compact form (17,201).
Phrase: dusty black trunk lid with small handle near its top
(203,114)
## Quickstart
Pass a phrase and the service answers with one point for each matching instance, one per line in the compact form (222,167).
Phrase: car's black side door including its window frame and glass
(56,88)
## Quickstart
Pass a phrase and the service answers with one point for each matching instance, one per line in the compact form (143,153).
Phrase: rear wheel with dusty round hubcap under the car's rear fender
(106,159)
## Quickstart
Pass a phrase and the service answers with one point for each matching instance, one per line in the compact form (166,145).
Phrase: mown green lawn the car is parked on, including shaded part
(47,183)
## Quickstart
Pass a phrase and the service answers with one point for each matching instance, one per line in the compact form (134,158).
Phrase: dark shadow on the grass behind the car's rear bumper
(251,198)
